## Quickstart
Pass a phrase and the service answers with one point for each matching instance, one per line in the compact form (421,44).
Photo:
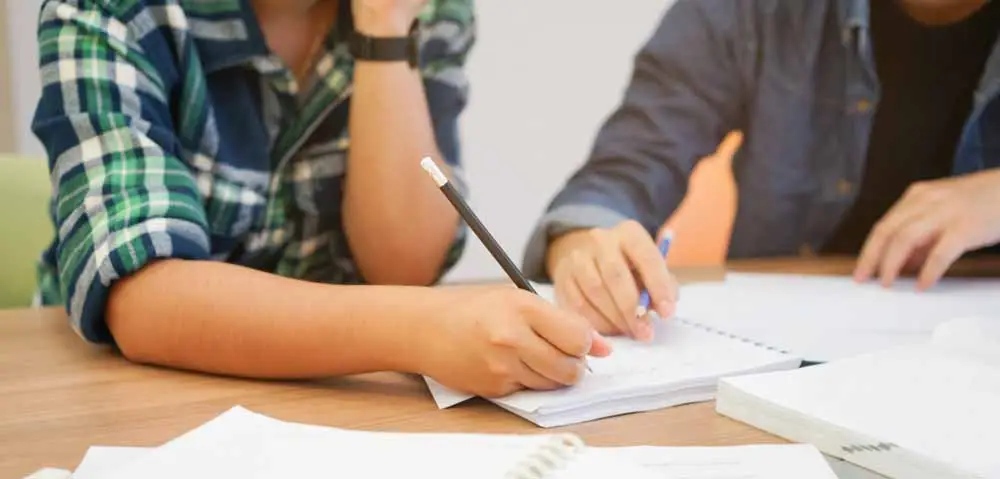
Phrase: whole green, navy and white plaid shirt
(173,132)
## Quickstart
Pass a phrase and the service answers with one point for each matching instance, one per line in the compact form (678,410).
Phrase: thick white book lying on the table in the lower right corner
(928,410)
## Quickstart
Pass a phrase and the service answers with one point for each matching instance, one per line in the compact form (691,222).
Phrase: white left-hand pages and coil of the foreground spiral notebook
(244,444)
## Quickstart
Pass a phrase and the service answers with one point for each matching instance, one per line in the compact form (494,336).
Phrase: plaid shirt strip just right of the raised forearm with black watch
(449,34)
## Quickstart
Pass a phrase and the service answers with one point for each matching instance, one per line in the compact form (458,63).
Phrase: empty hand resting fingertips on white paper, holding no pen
(931,226)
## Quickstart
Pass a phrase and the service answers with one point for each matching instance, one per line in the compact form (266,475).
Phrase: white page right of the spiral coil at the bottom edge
(792,461)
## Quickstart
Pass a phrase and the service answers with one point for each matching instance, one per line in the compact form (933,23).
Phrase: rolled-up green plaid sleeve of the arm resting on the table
(122,197)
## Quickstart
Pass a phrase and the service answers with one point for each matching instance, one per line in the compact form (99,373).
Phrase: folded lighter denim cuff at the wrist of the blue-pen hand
(559,221)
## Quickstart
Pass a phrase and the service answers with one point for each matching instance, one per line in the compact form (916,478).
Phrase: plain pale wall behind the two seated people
(544,74)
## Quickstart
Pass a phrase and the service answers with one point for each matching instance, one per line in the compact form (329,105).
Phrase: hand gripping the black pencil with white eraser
(495,341)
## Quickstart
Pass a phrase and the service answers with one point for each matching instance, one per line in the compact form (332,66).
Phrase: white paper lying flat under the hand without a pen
(822,318)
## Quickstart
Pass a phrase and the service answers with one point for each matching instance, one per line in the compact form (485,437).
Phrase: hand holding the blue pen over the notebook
(598,273)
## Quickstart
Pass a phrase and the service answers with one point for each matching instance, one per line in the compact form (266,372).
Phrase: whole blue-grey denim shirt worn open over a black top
(796,77)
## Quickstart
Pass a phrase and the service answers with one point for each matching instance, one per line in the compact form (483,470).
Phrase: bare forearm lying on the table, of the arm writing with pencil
(225,319)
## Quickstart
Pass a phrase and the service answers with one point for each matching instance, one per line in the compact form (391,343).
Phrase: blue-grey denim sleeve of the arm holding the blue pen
(683,98)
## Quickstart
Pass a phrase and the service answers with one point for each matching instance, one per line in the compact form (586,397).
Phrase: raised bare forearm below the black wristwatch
(398,225)
